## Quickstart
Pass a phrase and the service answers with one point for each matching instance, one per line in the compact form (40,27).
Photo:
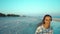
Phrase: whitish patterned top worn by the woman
(42,30)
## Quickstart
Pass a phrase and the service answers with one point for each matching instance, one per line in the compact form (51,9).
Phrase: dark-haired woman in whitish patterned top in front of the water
(45,28)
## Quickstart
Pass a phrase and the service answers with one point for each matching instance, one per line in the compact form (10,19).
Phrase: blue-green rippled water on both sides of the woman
(23,25)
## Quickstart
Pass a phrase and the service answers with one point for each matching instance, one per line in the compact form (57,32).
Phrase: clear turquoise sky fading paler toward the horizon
(30,7)
